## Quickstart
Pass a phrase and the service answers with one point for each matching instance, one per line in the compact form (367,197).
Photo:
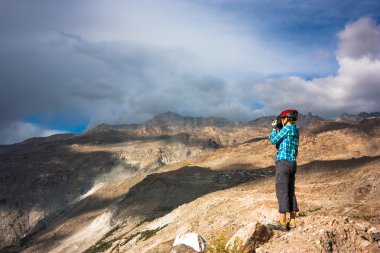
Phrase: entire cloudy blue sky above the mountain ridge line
(66,66)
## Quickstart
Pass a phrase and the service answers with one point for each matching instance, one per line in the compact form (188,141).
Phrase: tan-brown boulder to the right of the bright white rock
(251,236)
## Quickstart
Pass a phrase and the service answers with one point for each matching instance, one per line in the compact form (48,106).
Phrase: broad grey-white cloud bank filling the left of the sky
(124,61)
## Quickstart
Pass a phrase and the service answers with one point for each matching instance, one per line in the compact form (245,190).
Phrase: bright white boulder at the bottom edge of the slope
(189,241)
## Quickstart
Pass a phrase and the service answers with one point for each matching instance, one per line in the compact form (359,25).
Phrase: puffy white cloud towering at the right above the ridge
(355,88)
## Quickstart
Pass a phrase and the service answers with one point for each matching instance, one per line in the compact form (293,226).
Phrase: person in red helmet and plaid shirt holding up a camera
(285,136)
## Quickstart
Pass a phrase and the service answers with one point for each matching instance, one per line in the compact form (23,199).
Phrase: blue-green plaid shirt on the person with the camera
(287,140)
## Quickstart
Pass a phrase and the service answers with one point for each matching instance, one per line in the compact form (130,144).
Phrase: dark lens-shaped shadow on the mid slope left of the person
(160,193)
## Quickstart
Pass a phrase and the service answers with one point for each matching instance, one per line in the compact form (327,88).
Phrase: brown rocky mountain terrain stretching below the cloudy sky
(133,188)
